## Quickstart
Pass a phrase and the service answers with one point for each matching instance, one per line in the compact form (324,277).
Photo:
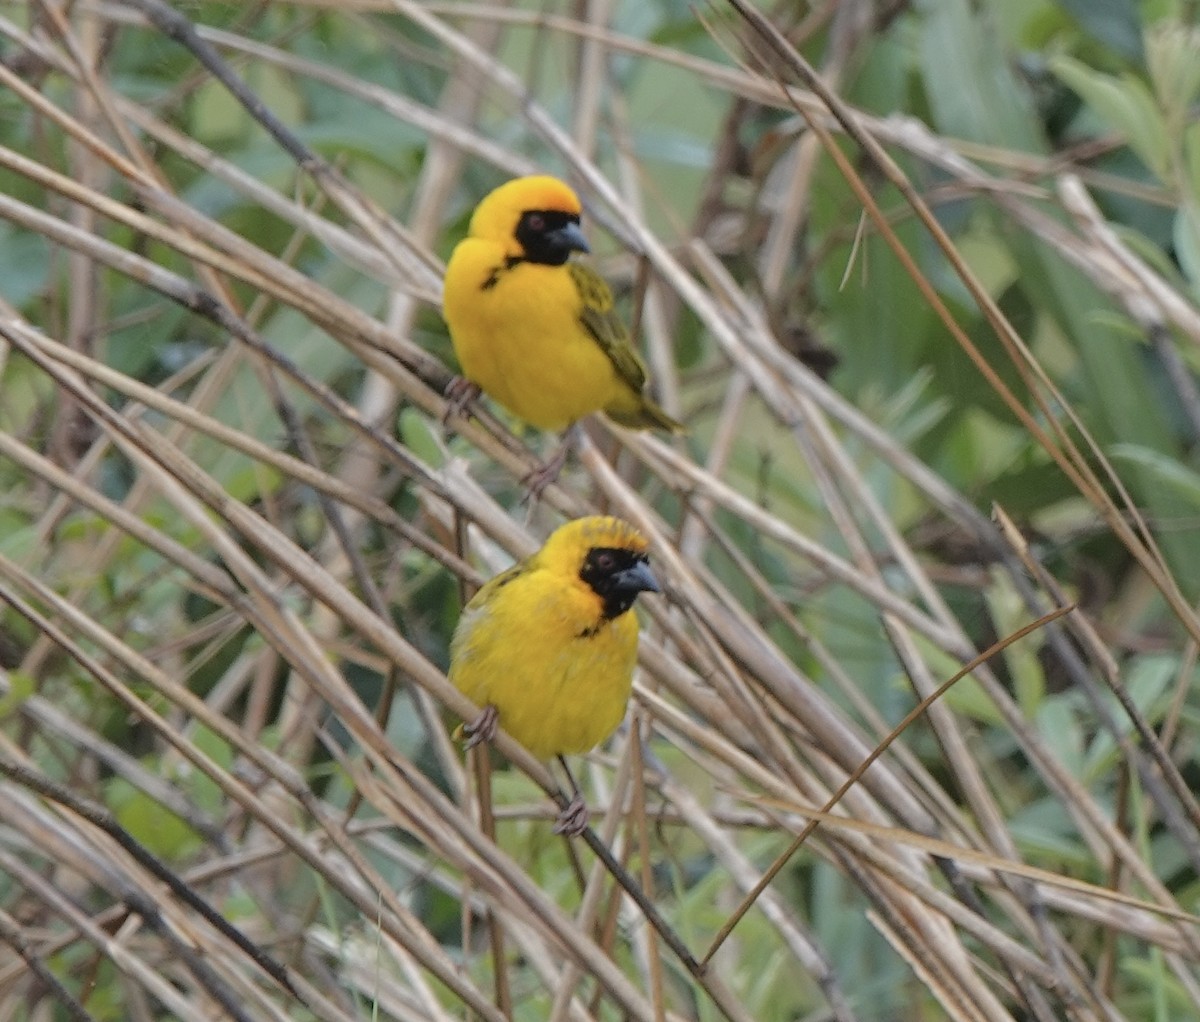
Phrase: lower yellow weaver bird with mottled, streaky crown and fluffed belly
(548,648)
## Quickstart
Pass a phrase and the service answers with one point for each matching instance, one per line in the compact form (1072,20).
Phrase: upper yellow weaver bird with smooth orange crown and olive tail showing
(532,329)
